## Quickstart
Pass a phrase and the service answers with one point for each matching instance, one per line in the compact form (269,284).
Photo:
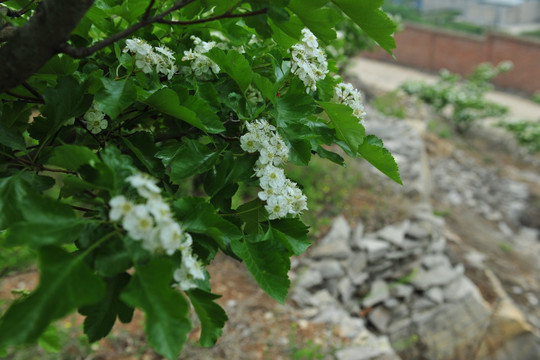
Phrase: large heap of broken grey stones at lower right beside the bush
(392,288)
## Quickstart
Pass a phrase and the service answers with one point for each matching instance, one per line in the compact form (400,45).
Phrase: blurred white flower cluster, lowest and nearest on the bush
(152,223)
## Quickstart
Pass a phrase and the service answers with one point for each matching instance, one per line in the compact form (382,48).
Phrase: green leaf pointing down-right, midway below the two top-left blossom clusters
(167,102)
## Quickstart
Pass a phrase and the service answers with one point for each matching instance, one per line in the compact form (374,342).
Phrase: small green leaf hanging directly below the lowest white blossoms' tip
(211,315)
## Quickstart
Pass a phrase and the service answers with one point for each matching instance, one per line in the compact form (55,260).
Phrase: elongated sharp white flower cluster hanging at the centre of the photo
(282,196)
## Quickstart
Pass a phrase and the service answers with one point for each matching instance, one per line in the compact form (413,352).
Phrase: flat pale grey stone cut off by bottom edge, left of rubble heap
(372,349)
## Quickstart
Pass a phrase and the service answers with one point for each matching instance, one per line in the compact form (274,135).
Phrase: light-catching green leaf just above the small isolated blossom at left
(115,96)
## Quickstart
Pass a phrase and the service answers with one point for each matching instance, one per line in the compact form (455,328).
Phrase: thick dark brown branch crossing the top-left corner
(33,44)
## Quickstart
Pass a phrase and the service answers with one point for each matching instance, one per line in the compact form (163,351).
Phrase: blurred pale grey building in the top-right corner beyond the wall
(495,13)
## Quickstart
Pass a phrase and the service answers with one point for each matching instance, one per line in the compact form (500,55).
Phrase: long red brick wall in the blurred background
(434,49)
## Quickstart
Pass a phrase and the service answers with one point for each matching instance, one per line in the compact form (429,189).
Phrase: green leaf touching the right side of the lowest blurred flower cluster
(200,217)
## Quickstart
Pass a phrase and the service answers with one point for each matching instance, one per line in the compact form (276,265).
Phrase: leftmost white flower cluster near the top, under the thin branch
(148,57)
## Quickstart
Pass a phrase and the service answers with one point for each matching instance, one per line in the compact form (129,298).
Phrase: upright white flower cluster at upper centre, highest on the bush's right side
(308,61)
